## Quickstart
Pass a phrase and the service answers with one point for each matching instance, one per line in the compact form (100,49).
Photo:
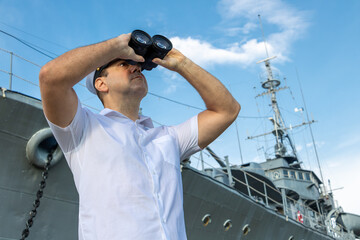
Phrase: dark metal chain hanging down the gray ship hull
(39,194)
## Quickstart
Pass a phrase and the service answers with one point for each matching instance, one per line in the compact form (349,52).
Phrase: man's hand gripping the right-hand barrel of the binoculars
(173,61)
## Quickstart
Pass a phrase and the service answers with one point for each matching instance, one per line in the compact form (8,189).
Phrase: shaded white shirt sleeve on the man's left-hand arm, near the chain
(70,137)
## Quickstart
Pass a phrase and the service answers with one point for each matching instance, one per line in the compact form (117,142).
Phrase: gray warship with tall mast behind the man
(273,199)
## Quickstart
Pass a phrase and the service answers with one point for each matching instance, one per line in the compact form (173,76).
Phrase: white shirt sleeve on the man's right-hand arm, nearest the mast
(187,135)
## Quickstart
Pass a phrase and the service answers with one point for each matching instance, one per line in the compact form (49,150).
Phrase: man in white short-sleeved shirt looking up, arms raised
(127,173)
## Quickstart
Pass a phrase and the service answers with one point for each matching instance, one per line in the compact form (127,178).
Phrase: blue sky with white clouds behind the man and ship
(316,43)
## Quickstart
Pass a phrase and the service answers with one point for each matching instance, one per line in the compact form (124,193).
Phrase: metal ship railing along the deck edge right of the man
(310,217)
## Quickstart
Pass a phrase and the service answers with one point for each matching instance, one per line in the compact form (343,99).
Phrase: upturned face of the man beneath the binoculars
(126,79)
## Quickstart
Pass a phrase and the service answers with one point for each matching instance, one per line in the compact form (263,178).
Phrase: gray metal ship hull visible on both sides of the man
(22,116)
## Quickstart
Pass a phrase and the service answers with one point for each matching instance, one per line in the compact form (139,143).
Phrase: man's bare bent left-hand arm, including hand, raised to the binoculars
(58,76)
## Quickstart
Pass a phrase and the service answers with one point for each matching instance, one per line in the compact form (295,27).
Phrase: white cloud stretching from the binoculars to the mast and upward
(291,24)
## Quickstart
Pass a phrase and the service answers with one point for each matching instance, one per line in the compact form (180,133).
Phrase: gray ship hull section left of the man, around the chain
(20,117)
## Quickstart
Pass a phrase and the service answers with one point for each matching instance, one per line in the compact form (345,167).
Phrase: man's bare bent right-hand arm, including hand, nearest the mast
(221,108)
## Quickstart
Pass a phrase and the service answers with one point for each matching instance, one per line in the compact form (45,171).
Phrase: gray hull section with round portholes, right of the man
(204,195)
